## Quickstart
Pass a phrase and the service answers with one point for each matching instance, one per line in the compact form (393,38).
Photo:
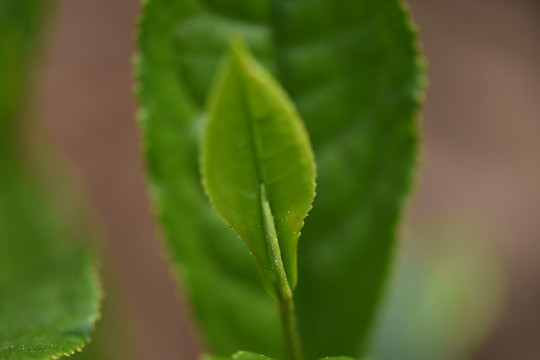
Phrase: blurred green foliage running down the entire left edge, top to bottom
(49,294)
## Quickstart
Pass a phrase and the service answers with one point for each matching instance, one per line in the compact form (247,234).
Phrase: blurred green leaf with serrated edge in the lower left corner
(49,293)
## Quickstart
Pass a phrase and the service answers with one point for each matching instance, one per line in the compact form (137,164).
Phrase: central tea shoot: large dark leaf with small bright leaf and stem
(354,74)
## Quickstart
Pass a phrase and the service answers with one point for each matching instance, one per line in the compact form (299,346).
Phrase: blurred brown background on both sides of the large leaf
(480,166)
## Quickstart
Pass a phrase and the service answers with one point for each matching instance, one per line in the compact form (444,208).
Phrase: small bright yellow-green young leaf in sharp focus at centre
(257,165)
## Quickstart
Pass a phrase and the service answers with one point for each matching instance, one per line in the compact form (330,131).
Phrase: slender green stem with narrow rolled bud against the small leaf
(285,296)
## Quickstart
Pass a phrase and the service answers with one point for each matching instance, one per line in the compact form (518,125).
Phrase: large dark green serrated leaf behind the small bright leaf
(354,72)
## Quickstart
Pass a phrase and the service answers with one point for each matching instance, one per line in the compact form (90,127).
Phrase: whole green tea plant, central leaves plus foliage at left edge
(349,69)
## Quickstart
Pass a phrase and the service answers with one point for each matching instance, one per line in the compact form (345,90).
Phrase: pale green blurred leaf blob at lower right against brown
(447,277)
